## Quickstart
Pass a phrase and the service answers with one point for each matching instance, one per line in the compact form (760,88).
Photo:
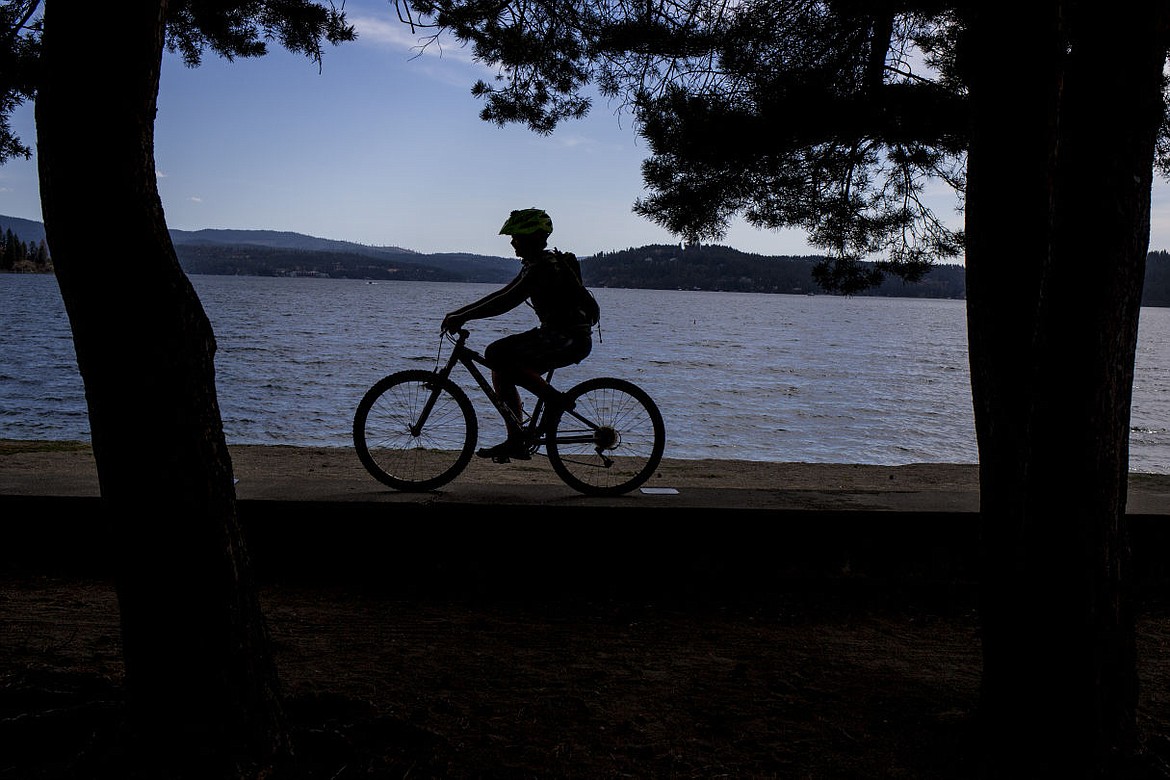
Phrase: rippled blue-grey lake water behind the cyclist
(814,379)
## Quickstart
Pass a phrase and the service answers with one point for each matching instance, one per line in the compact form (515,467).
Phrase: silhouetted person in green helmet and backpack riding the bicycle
(552,284)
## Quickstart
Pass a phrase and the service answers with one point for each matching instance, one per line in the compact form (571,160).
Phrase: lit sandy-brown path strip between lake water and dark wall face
(274,473)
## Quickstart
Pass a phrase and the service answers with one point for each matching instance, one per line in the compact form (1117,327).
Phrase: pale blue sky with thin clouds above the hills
(384,147)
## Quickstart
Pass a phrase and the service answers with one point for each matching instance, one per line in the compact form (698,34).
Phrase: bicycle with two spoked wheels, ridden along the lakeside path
(417,430)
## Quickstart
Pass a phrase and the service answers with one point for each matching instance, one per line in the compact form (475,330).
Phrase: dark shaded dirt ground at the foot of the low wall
(827,682)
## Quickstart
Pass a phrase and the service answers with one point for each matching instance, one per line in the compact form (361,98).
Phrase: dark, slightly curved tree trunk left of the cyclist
(202,687)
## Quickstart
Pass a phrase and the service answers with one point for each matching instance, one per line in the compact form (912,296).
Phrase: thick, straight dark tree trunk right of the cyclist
(1058,227)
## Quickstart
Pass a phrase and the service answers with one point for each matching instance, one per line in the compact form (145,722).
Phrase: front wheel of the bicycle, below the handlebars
(404,453)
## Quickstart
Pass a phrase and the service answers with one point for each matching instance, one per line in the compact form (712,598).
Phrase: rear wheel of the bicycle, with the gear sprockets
(611,441)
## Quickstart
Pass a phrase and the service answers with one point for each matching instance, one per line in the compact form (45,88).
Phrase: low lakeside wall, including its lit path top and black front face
(700,528)
